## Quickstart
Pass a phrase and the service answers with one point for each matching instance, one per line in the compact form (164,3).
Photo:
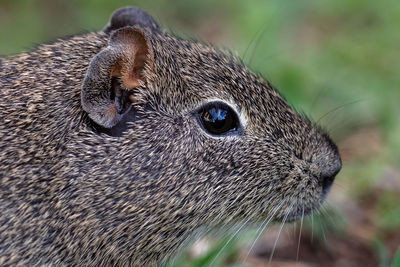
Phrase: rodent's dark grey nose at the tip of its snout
(329,169)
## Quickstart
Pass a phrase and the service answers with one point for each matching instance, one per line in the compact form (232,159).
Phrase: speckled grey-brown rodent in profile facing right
(117,147)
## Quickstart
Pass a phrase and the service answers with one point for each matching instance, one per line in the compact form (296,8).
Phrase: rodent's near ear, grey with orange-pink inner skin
(128,57)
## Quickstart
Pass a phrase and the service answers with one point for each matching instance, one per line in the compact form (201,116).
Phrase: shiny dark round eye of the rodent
(218,118)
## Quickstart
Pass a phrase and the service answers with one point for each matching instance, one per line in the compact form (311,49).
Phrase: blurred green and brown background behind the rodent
(336,61)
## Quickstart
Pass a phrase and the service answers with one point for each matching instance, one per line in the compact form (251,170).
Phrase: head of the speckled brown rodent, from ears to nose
(157,98)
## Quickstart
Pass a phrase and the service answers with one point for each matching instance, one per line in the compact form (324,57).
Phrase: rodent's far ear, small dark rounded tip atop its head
(130,16)
